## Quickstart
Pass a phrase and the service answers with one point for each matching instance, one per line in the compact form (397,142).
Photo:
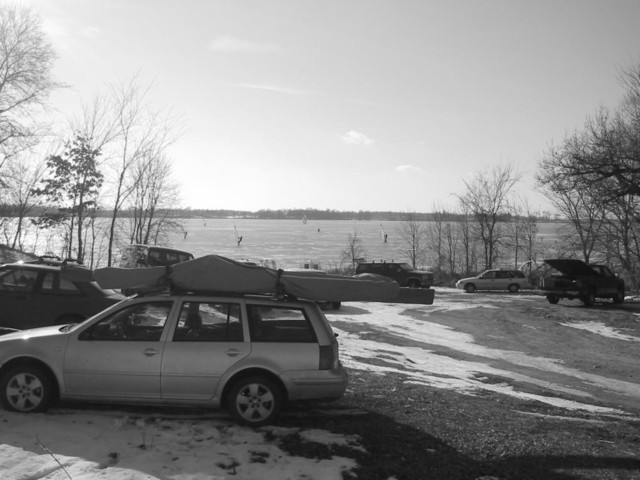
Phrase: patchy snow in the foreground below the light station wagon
(92,445)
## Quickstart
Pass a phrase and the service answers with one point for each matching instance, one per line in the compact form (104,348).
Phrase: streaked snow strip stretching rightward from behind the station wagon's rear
(428,353)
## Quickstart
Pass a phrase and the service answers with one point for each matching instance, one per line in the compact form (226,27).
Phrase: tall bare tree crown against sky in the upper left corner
(26,61)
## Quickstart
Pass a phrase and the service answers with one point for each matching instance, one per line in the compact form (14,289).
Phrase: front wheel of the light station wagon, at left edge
(26,389)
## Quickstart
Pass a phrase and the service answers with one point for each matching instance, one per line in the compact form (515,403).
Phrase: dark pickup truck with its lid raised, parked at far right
(576,279)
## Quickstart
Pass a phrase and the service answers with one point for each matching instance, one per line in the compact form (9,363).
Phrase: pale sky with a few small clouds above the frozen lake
(358,105)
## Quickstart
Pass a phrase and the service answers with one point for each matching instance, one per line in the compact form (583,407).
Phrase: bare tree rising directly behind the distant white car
(486,198)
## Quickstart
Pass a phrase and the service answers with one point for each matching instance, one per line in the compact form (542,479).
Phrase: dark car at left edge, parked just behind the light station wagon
(49,291)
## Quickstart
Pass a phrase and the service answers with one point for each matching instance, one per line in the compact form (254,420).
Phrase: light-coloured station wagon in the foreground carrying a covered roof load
(248,353)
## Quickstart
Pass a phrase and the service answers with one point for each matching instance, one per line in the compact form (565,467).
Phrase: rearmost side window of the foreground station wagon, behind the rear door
(279,324)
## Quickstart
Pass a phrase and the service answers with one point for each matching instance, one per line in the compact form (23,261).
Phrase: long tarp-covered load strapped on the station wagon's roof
(214,273)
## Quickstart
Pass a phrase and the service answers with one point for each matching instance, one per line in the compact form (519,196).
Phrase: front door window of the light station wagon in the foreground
(142,322)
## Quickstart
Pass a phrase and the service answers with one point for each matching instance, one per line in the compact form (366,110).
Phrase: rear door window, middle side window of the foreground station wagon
(209,322)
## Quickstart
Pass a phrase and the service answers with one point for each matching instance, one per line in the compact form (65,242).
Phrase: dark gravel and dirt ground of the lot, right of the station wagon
(416,431)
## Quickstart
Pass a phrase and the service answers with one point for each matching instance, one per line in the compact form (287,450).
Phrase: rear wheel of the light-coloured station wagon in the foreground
(255,401)
